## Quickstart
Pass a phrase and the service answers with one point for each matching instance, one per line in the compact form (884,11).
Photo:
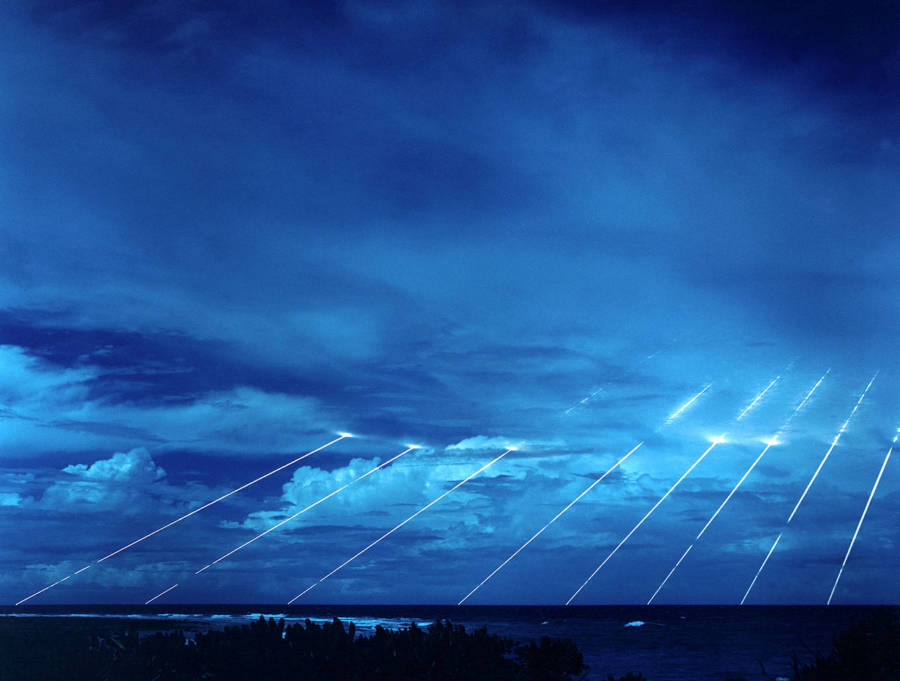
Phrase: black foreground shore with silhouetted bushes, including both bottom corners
(104,649)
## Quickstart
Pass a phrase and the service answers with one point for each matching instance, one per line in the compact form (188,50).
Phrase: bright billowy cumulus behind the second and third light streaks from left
(488,510)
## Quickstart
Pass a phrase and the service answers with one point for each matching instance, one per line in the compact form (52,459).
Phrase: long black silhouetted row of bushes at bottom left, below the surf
(270,651)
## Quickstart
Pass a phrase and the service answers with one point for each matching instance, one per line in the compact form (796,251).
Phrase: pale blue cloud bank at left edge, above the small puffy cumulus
(52,407)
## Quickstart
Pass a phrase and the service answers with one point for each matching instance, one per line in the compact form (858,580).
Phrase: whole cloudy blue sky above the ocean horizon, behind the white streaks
(229,233)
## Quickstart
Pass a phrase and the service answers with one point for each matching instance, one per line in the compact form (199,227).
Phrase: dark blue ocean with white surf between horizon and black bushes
(664,643)
